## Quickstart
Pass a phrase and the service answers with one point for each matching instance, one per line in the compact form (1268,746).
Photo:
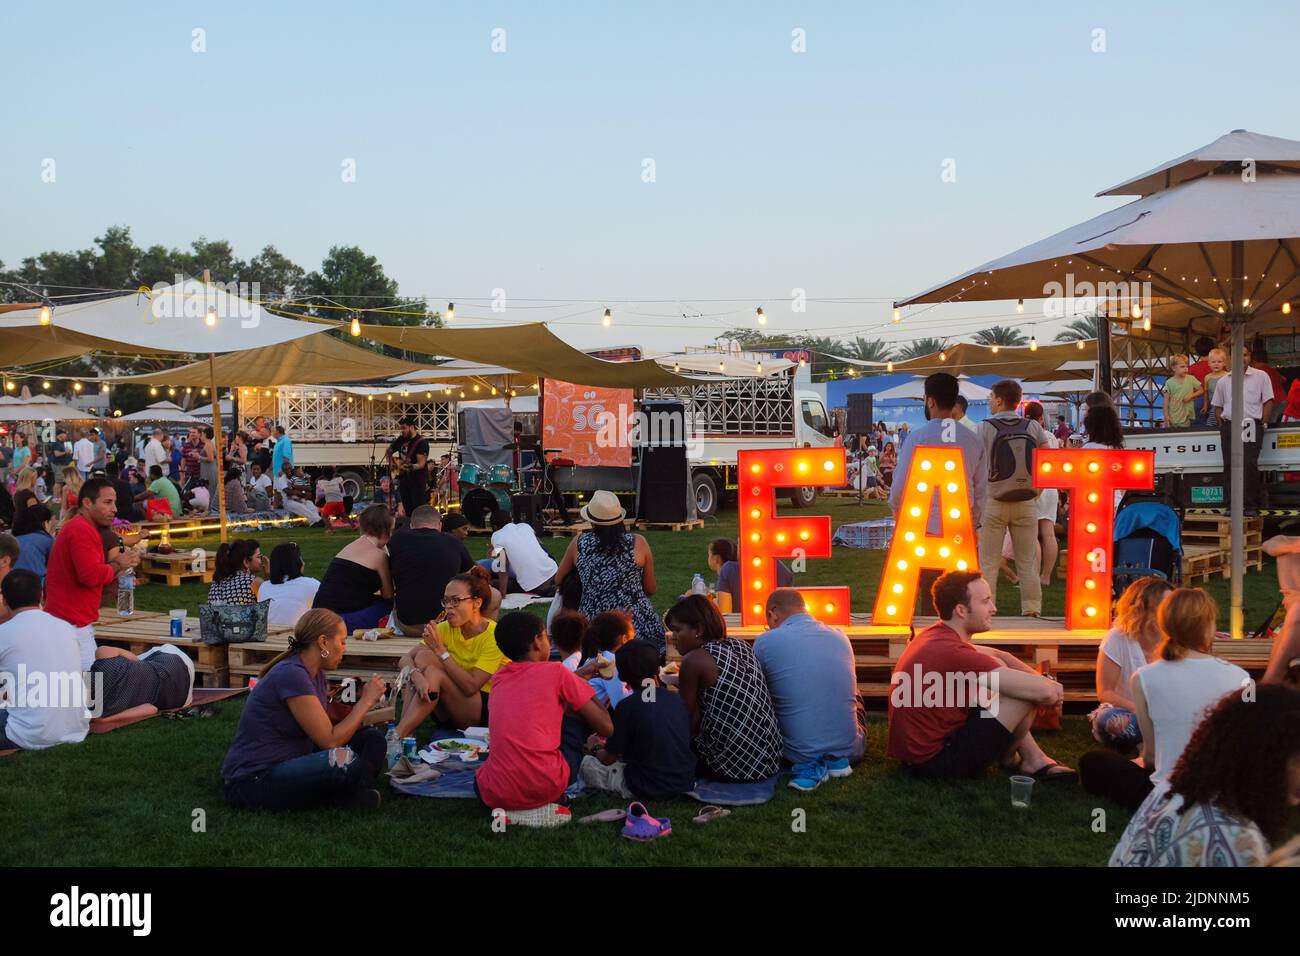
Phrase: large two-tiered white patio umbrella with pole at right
(1215,235)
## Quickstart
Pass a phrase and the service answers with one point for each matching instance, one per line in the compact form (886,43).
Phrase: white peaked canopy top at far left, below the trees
(171,319)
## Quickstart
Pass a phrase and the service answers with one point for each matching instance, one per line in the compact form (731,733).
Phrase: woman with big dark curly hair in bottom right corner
(1232,794)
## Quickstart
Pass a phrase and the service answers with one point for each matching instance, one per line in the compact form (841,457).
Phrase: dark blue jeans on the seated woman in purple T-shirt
(318,778)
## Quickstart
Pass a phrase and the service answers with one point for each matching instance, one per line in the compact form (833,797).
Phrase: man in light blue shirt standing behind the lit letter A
(941,429)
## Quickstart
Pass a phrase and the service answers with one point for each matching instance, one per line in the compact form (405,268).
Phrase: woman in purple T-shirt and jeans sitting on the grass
(287,752)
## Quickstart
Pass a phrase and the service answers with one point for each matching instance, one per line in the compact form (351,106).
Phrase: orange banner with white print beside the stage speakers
(590,425)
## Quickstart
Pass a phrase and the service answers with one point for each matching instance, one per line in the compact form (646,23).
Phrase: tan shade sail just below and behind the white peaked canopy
(318,360)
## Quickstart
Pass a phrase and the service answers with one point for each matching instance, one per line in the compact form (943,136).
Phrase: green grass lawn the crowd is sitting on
(131,798)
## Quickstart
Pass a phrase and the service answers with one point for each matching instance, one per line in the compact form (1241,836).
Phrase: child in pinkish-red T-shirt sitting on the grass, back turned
(526,773)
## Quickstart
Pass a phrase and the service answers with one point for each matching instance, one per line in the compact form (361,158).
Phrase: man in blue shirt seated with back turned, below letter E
(813,680)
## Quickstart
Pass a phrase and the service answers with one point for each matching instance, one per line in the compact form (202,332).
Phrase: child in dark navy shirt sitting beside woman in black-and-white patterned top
(649,756)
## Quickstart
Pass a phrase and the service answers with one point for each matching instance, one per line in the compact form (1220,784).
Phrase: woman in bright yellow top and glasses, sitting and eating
(456,660)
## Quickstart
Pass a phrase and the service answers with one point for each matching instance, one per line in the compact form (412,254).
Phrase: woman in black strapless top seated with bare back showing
(358,585)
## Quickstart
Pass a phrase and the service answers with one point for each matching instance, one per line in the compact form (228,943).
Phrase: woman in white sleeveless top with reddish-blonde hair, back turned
(1171,698)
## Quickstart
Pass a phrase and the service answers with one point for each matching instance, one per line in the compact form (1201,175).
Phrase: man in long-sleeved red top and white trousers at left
(77,570)
